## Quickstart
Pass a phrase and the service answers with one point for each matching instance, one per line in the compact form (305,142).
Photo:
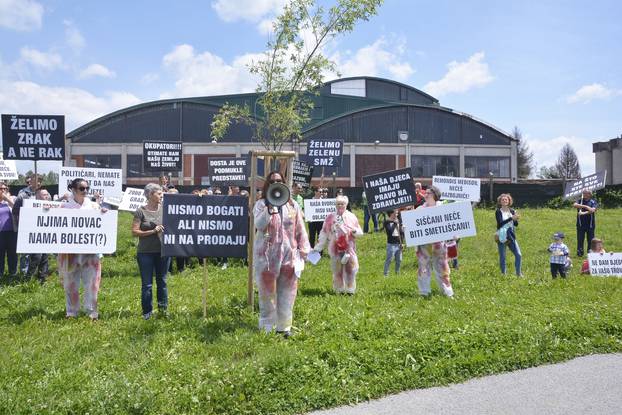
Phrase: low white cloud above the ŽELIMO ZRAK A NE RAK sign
(78,106)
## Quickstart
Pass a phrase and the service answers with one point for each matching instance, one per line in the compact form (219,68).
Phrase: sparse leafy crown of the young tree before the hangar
(292,70)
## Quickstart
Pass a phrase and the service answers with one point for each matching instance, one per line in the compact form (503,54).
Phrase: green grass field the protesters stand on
(346,349)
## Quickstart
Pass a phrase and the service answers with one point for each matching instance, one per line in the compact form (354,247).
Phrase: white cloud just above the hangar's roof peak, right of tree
(380,58)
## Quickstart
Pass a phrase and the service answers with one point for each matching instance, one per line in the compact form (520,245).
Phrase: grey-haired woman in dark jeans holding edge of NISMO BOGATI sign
(147,226)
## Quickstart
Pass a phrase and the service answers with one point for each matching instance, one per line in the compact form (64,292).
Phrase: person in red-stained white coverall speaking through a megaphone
(281,246)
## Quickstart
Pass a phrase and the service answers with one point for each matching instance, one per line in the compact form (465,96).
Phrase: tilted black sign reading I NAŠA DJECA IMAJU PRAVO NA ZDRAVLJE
(389,190)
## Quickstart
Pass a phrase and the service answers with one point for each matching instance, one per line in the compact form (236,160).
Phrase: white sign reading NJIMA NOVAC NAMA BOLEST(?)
(66,231)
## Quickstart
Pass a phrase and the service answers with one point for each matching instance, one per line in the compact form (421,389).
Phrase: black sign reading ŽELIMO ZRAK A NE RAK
(33,137)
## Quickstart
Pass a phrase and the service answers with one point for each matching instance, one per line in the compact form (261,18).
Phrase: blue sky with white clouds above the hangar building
(552,68)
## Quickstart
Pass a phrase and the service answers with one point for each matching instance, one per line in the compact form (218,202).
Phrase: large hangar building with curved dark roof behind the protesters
(385,125)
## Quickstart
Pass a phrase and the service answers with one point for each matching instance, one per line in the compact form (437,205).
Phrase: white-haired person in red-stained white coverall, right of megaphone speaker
(339,232)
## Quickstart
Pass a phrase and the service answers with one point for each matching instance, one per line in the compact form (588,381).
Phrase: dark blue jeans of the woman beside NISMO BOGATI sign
(148,263)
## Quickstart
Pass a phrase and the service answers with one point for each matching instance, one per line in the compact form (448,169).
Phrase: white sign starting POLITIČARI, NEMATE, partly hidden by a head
(106,182)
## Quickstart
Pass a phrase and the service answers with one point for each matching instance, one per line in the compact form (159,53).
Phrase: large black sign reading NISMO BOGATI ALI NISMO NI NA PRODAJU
(205,226)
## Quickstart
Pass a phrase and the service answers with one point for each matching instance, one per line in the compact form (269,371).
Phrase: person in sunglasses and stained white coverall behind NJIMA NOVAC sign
(80,268)
